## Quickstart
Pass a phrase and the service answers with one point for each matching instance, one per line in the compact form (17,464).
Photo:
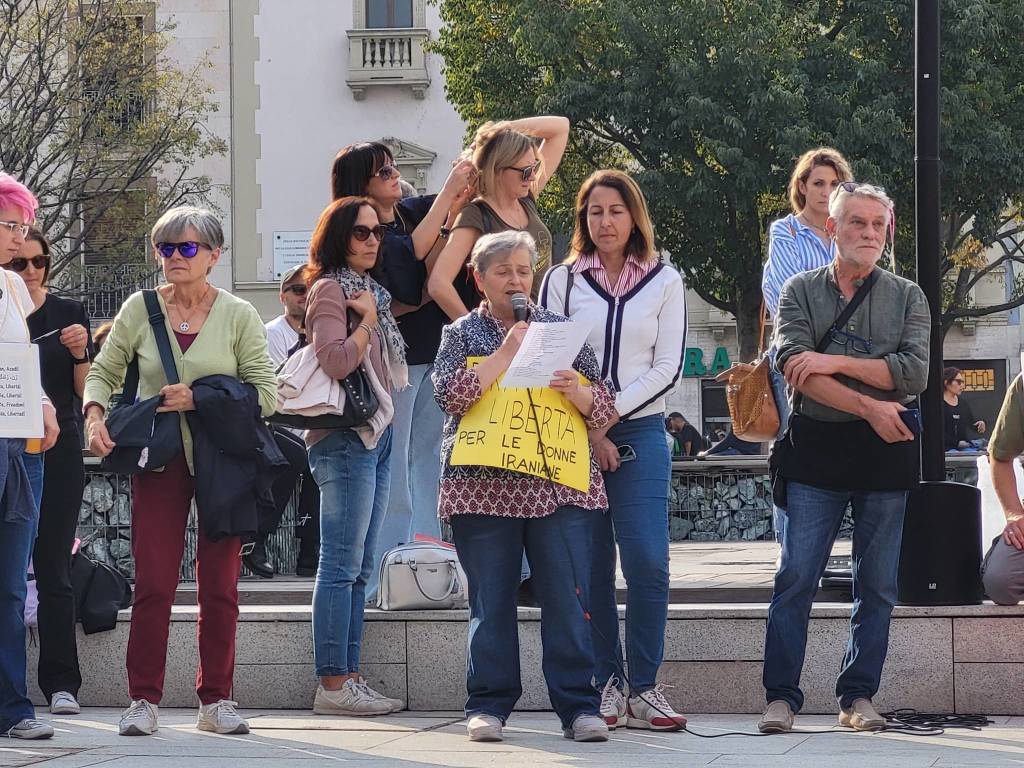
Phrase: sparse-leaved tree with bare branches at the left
(103,127)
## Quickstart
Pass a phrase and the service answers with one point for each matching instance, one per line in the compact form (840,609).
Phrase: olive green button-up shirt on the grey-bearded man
(893,317)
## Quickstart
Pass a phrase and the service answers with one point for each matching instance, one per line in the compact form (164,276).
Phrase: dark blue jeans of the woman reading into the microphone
(491,550)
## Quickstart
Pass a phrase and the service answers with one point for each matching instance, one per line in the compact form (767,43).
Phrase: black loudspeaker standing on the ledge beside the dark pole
(941,562)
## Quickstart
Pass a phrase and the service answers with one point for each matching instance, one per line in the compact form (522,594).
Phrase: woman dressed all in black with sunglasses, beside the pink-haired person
(61,328)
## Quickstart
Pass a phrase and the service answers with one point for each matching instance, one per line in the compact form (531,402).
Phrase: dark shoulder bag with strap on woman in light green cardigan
(145,440)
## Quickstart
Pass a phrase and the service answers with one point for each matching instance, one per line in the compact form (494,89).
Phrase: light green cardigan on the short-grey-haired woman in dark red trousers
(232,342)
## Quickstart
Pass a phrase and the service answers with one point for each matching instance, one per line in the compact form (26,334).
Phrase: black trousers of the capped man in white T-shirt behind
(308,515)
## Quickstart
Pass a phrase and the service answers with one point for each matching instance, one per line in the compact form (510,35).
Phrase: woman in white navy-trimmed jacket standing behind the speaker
(635,307)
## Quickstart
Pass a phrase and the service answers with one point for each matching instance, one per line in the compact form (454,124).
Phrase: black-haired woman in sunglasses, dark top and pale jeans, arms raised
(414,231)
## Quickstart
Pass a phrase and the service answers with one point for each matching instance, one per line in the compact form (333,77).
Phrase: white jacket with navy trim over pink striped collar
(639,338)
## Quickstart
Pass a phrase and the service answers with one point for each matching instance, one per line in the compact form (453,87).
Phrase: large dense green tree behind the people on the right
(709,104)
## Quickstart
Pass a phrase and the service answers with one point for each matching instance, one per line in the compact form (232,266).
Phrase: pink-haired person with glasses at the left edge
(19,508)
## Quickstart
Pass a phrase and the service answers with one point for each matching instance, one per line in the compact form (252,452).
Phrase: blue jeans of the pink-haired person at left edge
(16,549)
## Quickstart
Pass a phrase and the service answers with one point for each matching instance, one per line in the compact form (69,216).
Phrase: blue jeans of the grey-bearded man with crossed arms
(816,516)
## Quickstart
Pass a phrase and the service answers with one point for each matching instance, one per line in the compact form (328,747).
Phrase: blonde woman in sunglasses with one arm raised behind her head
(515,160)
